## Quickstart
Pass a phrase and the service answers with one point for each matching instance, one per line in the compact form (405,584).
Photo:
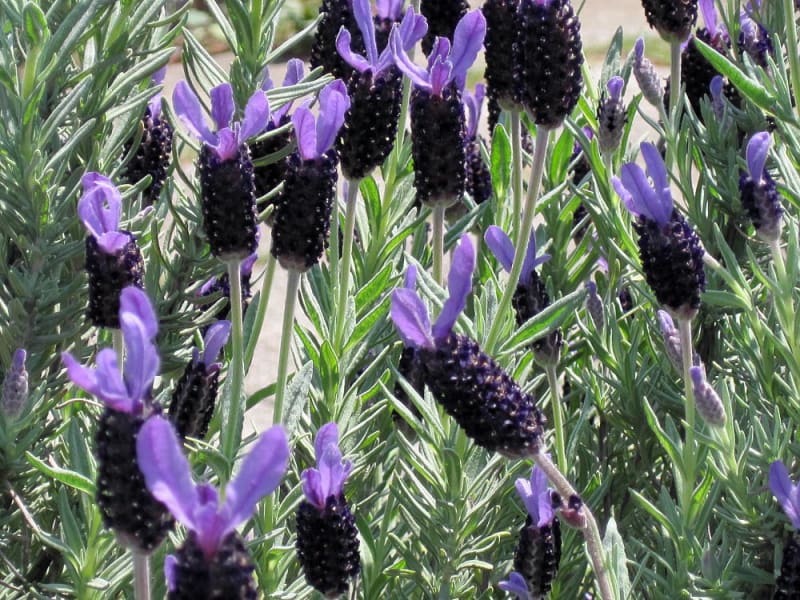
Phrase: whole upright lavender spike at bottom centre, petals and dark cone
(327,538)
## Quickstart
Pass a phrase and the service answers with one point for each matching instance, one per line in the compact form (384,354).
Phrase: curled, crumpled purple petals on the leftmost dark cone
(100,208)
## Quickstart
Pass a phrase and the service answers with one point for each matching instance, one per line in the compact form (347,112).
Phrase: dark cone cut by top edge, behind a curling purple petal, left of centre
(335,15)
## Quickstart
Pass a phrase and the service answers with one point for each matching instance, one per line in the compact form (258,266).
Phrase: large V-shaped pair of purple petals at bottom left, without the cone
(169,478)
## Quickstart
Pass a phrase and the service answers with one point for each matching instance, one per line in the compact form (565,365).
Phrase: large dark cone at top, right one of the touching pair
(548,66)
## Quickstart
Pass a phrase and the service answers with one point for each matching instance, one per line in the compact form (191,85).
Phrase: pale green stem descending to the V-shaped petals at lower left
(232,429)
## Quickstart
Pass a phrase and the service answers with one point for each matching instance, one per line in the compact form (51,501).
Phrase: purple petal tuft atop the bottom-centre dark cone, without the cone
(328,478)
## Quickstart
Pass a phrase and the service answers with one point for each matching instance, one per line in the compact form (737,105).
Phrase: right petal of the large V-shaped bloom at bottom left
(261,472)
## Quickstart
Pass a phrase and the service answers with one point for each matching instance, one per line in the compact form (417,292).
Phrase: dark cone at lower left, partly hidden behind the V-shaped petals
(139,521)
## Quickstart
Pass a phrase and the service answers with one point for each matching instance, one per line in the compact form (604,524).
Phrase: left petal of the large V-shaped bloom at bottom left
(166,470)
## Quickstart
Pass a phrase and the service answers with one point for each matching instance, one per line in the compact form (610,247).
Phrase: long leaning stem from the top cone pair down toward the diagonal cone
(539,152)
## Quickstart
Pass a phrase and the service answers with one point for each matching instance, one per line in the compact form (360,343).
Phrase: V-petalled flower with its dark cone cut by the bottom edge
(213,562)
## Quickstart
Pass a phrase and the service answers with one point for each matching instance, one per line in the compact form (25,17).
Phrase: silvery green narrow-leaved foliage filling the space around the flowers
(437,516)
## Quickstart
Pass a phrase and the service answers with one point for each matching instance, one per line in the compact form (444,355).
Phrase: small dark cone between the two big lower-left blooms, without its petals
(193,400)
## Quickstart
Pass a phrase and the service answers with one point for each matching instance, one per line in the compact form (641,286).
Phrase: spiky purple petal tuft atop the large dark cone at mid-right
(651,198)
